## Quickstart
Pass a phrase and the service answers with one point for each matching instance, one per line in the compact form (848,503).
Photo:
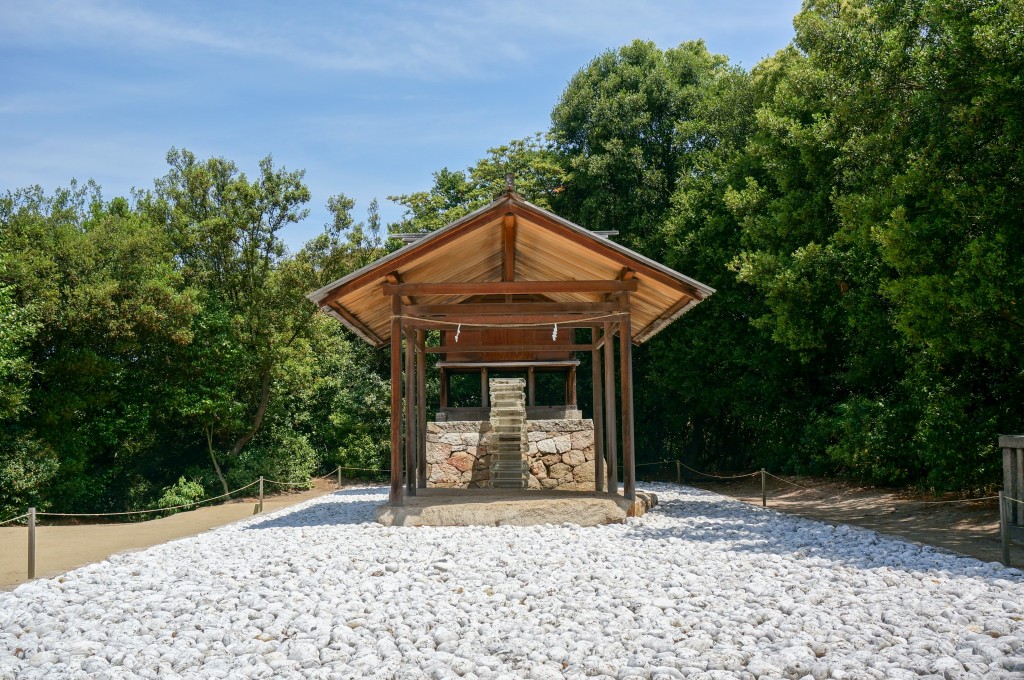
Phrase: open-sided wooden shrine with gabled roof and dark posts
(507,286)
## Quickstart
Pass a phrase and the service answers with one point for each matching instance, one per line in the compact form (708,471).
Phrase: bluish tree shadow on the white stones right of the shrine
(738,528)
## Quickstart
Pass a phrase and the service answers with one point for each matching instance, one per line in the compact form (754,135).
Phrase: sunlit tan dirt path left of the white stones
(63,548)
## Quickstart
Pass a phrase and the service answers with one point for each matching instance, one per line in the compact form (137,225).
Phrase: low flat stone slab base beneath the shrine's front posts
(496,507)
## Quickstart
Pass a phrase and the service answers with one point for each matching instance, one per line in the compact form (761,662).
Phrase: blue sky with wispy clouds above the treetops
(369,98)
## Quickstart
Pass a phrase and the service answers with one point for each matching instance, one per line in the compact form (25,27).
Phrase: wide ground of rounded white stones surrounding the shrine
(702,587)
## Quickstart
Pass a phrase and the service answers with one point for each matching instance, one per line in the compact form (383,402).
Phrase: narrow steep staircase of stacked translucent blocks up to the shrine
(508,434)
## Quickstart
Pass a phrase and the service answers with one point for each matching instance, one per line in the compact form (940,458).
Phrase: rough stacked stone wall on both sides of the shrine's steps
(561,454)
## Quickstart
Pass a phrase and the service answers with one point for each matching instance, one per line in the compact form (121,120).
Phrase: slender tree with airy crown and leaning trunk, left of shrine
(226,231)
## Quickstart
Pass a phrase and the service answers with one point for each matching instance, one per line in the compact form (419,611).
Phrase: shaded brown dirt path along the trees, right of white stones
(971,529)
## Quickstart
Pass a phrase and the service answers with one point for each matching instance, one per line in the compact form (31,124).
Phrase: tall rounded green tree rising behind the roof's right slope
(618,130)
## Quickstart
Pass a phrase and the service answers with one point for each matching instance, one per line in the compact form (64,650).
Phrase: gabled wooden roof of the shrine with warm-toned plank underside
(546,247)
